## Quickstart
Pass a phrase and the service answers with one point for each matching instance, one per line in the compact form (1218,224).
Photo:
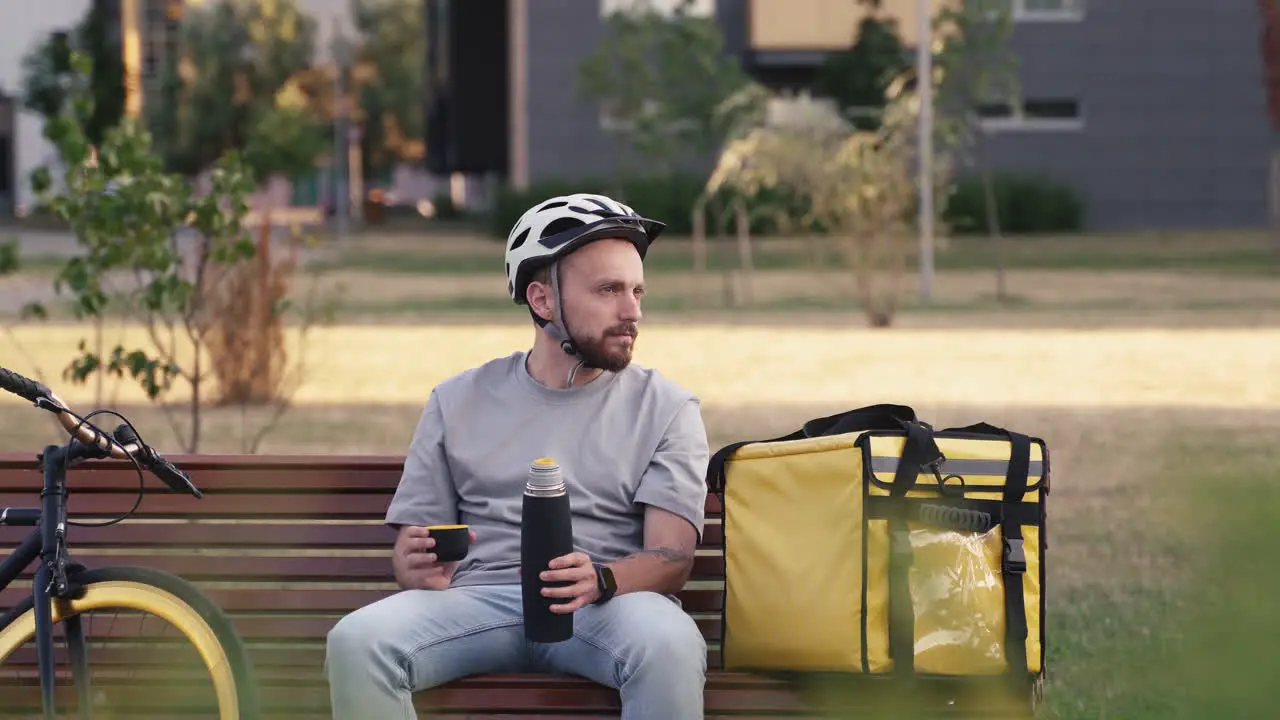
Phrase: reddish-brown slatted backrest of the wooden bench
(286,545)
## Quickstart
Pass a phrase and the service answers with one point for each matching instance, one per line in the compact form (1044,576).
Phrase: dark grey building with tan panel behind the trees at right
(1153,110)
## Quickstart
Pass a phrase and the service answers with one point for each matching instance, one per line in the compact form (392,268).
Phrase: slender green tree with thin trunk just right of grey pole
(980,70)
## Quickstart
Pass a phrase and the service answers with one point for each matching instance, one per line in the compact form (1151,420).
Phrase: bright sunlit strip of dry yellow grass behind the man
(753,366)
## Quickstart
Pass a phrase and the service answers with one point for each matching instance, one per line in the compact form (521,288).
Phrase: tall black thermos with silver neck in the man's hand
(546,532)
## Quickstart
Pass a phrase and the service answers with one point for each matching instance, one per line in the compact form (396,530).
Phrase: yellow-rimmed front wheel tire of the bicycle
(166,596)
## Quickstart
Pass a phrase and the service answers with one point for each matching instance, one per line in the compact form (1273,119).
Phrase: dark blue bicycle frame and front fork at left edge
(48,544)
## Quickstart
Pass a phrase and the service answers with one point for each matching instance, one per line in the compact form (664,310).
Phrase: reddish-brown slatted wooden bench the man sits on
(289,545)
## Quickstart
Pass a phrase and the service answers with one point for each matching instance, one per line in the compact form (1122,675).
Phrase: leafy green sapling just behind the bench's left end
(162,247)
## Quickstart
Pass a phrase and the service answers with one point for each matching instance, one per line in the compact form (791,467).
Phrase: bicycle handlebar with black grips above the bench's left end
(126,445)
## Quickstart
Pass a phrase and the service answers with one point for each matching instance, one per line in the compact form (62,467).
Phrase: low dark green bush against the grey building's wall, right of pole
(1026,204)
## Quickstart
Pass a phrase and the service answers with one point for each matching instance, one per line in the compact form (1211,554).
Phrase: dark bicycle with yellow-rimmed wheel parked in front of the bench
(63,591)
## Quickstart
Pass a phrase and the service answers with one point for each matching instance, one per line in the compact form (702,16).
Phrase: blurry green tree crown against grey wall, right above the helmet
(665,83)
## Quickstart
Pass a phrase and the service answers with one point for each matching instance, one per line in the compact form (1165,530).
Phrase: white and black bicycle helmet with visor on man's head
(560,226)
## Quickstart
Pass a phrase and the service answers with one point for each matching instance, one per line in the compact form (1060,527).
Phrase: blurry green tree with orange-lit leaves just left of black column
(387,79)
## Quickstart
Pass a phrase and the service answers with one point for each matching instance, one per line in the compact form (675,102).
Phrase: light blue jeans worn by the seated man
(644,645)
